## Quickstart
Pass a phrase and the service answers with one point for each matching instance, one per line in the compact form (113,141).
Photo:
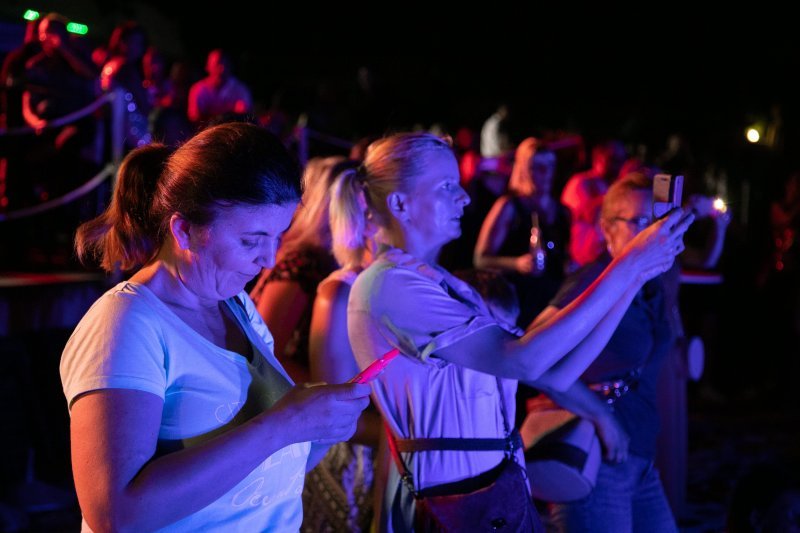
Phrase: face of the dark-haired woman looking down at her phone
(225,255)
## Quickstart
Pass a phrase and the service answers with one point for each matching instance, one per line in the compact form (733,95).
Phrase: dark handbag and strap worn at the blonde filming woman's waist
(497,500)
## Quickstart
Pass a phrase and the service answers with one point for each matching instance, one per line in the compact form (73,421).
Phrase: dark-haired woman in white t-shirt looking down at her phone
(181,417)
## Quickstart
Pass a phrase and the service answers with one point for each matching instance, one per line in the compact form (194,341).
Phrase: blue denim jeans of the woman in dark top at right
(628,497)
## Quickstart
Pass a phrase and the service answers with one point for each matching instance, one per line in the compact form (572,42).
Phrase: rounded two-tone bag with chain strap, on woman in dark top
(562,450)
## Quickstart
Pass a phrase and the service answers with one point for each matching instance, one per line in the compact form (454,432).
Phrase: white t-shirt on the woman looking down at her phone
(129,339)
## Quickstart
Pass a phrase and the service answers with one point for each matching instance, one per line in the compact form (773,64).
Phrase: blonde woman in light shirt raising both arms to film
(459,383)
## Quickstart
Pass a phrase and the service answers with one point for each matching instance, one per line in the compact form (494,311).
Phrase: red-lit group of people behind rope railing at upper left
(55,73)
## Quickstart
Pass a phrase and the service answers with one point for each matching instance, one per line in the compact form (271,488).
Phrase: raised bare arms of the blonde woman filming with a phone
(591,317)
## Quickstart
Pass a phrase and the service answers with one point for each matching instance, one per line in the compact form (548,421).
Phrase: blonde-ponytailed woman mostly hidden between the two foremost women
(338,495)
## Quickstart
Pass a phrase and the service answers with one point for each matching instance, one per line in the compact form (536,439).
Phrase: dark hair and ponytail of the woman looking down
(224,165)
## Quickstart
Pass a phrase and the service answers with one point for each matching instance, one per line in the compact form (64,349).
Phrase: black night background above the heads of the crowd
(638,73)
